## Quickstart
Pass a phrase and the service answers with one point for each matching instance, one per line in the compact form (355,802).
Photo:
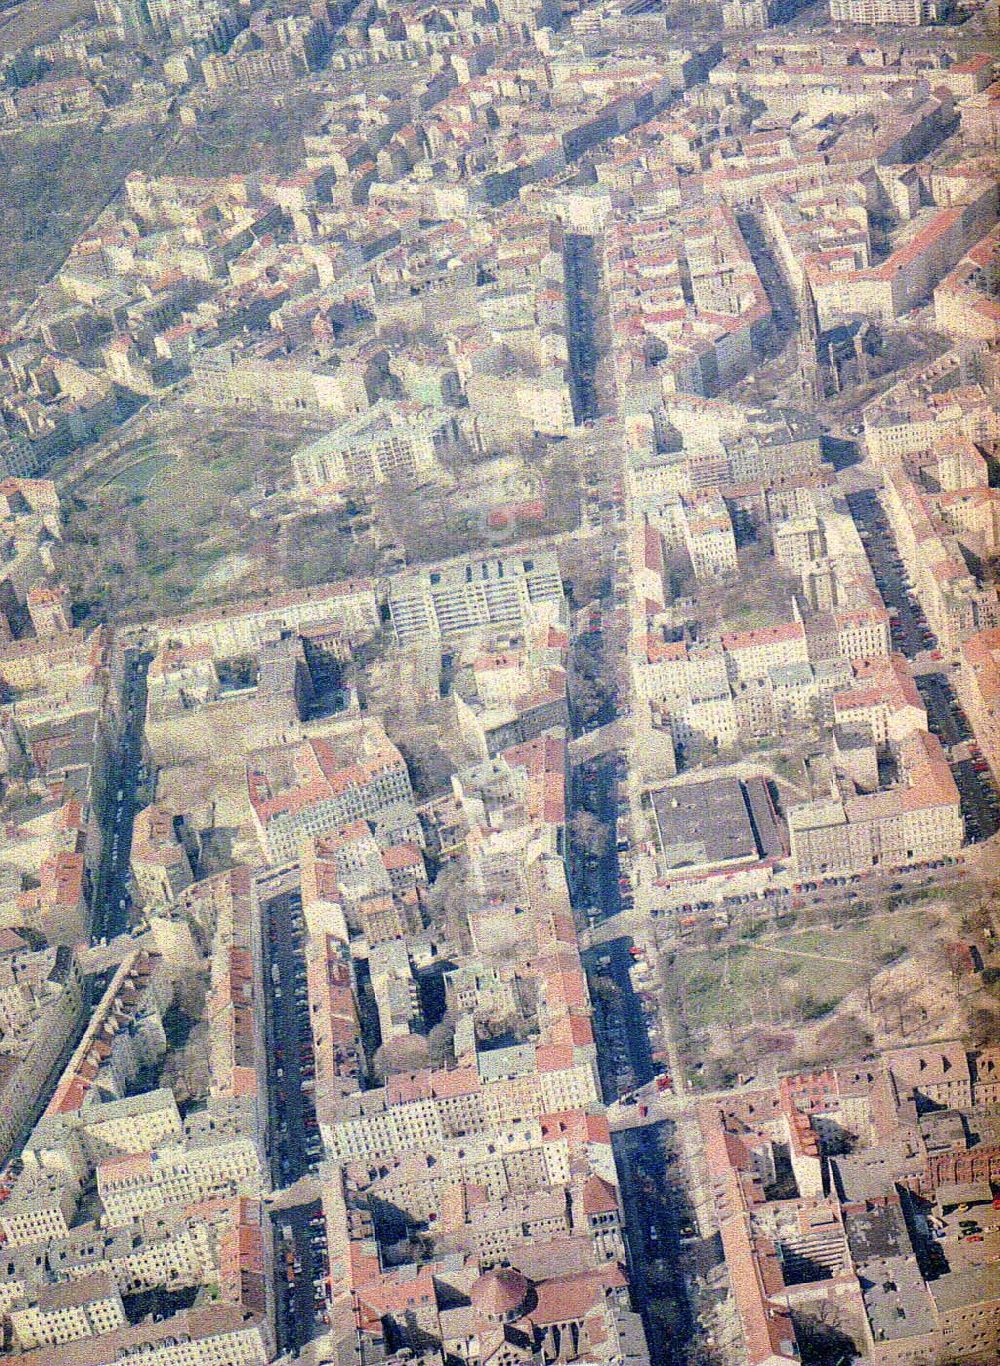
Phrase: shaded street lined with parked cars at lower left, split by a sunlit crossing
(303,1281)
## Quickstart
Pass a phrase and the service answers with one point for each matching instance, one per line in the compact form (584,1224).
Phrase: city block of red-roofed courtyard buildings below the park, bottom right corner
(855,1238)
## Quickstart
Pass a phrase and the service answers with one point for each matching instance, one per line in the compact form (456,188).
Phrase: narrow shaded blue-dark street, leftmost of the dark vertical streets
(113,897)
